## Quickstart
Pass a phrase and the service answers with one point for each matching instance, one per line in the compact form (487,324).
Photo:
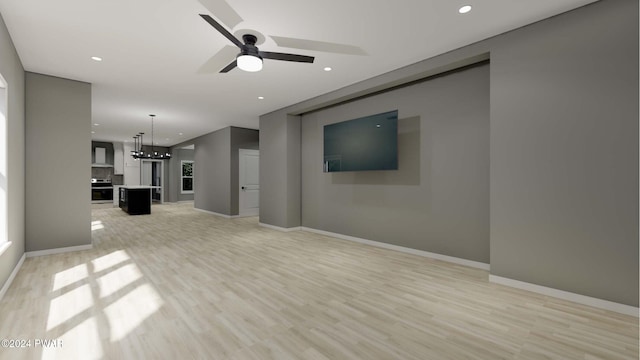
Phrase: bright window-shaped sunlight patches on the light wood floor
(110,289)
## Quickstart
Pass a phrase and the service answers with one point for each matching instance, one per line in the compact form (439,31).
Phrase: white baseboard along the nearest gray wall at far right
(565,295)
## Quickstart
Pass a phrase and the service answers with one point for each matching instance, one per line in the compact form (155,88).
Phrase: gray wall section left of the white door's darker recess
(212,179)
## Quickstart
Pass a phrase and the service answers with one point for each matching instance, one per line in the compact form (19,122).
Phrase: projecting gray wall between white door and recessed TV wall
(280,169)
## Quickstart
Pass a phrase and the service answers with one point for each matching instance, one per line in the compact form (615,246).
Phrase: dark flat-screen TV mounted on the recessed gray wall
(367,143)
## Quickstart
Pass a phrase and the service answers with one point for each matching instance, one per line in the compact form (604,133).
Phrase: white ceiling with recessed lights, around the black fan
(152,52)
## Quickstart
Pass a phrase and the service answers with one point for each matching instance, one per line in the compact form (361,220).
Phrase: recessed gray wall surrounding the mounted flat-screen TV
(438,199)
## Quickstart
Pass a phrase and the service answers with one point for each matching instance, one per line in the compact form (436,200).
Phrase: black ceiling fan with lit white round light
(250,57)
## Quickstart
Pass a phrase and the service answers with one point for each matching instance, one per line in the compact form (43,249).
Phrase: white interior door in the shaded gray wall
(249,199)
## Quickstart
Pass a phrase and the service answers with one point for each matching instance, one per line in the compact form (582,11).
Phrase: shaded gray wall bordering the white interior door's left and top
(240,139)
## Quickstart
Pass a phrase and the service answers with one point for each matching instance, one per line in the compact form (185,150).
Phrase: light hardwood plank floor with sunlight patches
(181,284)
